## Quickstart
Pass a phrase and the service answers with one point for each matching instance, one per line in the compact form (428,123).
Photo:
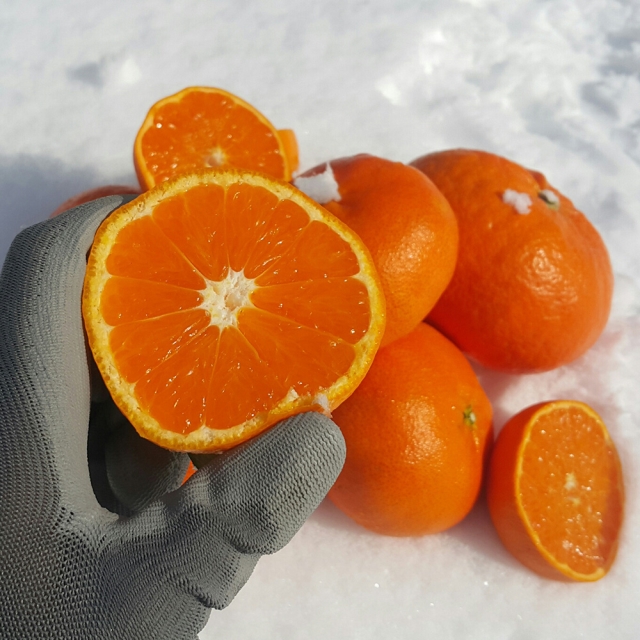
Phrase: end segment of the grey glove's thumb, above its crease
(262,492)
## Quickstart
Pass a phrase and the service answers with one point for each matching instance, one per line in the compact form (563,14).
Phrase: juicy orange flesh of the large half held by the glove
(306,310)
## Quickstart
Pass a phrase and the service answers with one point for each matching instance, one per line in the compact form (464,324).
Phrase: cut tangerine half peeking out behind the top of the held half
(204,127)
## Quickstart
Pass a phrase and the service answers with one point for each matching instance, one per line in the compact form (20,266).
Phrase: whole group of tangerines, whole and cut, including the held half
(230,294)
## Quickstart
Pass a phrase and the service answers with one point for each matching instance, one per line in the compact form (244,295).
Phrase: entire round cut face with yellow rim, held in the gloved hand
(221,302)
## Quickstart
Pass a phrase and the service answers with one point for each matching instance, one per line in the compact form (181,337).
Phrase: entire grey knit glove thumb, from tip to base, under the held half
(249,501)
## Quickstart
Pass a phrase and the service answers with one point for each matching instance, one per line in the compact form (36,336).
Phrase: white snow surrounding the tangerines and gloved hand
(553,85)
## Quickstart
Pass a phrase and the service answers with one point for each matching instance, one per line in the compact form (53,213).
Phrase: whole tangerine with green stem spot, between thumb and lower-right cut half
(416,431)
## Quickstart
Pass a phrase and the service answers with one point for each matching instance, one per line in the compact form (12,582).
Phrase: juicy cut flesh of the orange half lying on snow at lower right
(572,497)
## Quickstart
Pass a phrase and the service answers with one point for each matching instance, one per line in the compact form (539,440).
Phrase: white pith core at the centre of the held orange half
(223,299)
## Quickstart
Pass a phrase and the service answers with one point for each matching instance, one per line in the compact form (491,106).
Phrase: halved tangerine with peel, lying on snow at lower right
(555,491)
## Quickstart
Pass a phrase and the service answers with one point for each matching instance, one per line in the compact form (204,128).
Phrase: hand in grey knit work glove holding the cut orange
(91,544)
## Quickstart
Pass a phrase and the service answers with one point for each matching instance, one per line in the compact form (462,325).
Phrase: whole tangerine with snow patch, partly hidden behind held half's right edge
(407,225)
